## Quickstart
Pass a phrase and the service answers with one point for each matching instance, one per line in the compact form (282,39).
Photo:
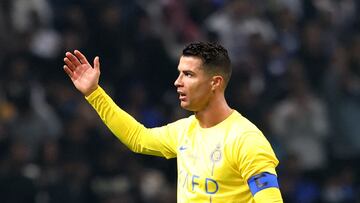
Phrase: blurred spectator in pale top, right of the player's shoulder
(301,122)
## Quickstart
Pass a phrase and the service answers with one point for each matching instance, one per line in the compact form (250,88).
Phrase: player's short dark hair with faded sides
(215,58)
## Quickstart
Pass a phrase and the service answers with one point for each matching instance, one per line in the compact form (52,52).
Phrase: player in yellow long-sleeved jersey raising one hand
(221,156)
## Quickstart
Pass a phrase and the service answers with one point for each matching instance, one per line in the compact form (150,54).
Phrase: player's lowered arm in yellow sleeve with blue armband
(256,162)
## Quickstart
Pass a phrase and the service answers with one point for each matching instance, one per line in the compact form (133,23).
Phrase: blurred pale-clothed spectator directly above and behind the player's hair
(236,22)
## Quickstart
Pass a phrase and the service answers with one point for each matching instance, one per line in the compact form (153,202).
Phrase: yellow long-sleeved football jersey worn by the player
(217,164)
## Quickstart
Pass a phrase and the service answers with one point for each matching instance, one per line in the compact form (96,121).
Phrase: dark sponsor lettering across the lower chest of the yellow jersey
(191,182)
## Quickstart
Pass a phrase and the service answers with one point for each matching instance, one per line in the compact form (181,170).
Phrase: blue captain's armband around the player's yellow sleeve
(262,181)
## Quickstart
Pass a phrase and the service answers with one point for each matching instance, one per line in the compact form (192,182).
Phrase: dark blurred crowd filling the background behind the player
(296,75)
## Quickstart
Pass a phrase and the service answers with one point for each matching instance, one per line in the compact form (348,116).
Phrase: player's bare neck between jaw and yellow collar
(215,112)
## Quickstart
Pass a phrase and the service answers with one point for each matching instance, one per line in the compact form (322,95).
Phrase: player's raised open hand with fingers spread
(82,74)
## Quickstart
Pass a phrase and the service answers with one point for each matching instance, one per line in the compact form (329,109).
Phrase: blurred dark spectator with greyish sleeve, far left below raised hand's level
(33,119)
